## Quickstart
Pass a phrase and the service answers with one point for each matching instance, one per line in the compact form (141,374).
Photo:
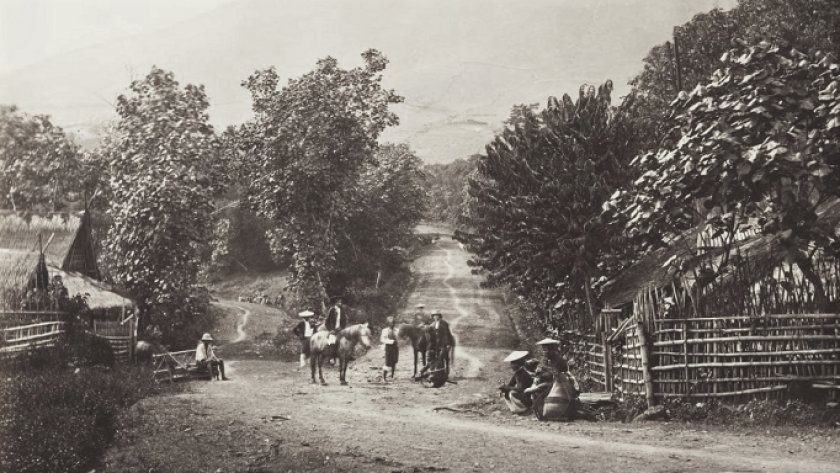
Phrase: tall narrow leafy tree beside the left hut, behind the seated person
(165,168)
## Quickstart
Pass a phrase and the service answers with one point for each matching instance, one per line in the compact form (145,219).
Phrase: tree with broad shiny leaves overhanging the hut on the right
(758,141)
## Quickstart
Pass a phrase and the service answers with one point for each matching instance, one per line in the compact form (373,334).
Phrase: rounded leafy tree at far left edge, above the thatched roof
(40,168)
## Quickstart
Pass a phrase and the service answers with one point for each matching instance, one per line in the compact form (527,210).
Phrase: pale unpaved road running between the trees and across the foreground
(369,426)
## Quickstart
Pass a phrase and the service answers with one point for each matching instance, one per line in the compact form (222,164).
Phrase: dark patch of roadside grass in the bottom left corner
(61,406)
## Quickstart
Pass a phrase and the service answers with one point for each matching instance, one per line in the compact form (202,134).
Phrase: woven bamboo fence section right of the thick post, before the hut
(745,357)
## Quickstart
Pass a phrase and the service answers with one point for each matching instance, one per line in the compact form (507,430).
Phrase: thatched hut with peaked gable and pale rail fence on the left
(35,251)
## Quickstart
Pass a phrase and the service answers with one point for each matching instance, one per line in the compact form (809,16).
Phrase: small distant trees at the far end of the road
(446,187)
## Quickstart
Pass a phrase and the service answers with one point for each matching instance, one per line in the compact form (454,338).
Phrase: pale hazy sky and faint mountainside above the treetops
(460,64)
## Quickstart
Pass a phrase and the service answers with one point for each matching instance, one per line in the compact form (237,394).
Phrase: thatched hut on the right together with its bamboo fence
(751,330)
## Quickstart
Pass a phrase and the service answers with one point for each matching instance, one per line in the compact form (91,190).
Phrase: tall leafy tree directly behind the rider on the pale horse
(303,155)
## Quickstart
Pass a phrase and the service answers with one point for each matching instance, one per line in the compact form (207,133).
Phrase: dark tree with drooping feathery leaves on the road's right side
(538,192)
